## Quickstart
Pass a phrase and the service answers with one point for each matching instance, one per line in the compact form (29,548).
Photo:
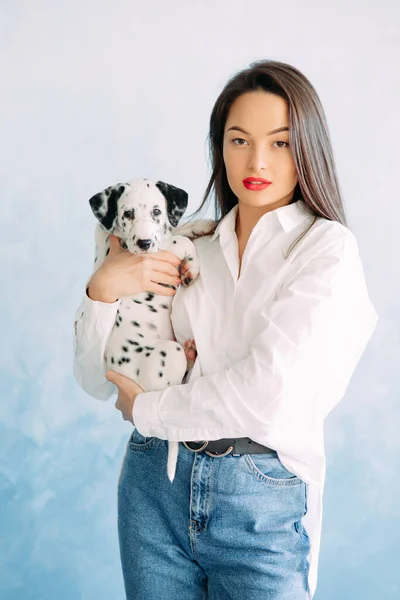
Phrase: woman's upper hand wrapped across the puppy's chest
(126,274)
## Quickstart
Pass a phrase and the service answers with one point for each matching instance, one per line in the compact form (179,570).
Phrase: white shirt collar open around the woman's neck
(287,216)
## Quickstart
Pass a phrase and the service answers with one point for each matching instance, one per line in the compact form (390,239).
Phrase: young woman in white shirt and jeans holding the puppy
(280,317)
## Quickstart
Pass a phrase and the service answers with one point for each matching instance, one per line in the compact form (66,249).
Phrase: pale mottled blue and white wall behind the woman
(95,92)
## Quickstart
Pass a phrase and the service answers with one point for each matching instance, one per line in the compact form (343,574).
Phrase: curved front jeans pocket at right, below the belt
(269,469)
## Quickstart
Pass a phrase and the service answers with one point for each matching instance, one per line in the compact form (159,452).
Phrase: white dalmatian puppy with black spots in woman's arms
(145,214)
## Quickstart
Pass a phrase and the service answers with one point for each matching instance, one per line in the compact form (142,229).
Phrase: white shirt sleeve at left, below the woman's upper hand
(93,324)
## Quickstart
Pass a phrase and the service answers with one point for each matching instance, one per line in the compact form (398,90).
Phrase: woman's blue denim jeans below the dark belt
(227,528)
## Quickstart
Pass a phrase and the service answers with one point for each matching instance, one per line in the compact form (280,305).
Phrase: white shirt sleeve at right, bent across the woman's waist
(308,344)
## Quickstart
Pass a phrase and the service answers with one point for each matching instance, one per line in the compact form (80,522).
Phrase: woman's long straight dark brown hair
(309,139)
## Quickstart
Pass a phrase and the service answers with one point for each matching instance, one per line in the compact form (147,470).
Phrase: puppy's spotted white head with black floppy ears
(139,212)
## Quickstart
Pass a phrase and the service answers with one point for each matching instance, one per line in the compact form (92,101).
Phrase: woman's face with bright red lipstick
(251,150)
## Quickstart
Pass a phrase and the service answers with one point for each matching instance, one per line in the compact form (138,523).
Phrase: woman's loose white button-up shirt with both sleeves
(276,347)
